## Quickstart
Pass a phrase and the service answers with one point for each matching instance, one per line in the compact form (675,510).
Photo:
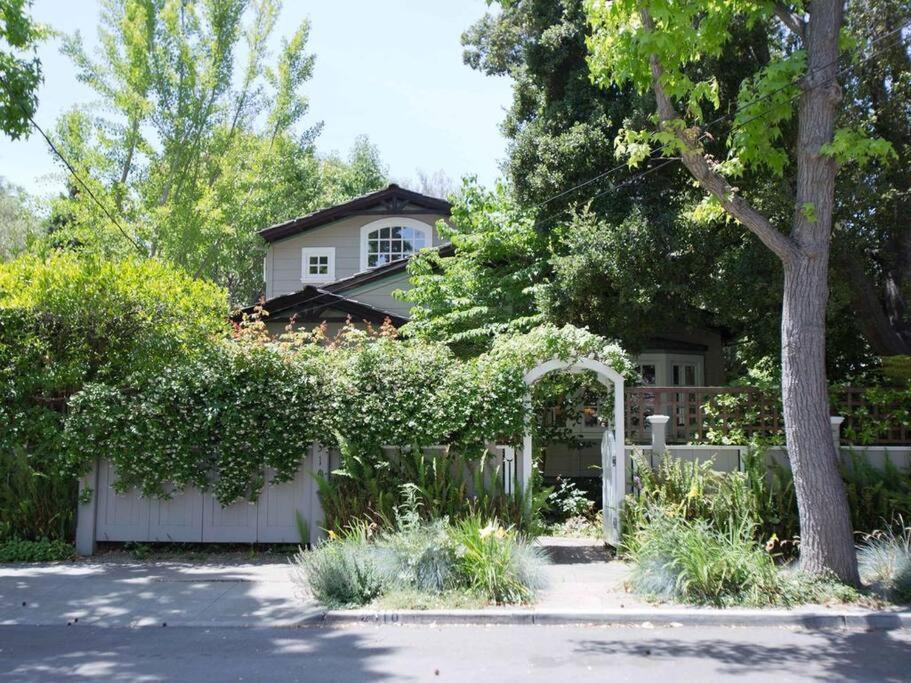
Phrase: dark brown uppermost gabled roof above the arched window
(391,200)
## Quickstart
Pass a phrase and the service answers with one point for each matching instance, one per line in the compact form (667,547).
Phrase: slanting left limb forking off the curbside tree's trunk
(695,161)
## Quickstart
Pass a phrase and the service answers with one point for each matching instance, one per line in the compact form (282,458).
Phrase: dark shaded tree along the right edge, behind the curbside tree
(872,244)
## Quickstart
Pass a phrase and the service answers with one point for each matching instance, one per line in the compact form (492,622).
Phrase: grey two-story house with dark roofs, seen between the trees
(348,259)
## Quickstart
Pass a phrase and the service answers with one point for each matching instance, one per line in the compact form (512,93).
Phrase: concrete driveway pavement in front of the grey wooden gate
(151,594)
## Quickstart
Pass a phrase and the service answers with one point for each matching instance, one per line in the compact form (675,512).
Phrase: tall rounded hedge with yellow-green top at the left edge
(66,322)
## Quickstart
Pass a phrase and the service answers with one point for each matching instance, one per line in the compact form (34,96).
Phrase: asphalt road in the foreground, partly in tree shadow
(452,653)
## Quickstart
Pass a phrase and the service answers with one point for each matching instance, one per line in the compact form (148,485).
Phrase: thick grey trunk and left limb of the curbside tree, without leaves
(827,543)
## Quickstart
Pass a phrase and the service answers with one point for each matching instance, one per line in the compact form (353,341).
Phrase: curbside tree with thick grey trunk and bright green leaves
(655,46)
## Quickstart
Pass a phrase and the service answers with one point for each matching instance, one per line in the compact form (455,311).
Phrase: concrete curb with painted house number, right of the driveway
(870,621)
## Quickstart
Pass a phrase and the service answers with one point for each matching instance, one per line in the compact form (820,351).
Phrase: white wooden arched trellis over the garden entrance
(613,455)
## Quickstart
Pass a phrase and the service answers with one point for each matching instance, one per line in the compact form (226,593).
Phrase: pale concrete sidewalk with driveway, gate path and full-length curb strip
(583,588)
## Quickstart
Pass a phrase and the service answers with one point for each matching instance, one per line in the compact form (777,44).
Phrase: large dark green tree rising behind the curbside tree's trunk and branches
(562,129)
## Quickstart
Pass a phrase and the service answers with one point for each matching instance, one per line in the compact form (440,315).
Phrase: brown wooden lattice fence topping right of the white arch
(742,412)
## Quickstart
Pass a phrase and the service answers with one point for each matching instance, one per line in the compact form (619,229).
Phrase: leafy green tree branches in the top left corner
(20,69)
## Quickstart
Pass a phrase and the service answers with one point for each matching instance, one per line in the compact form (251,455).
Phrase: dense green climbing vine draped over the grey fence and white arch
(248,406)
